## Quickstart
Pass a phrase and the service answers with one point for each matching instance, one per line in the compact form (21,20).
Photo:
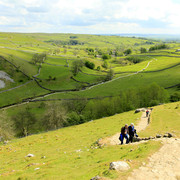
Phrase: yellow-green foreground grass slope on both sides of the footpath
(71,153)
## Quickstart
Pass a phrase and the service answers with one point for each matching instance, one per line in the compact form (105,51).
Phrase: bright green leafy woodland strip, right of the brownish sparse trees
(83,111)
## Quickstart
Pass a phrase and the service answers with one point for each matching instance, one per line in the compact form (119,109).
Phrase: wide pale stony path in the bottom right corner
(163,165)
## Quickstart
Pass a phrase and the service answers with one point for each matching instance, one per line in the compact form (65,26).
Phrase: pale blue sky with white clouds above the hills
(91,16)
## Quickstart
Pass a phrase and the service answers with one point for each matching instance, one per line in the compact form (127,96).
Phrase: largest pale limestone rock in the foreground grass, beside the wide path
(119,166)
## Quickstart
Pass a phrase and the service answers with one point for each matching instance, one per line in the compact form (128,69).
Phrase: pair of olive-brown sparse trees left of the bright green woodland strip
(26,123)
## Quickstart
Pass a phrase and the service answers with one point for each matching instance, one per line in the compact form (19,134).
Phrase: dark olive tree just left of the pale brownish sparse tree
(23,122)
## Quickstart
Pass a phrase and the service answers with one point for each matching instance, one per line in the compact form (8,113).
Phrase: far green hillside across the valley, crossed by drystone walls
(160,66)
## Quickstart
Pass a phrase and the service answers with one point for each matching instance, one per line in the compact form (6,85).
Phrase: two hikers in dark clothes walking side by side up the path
(128,132)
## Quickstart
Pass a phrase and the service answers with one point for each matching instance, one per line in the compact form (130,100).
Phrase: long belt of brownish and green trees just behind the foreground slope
(66,113)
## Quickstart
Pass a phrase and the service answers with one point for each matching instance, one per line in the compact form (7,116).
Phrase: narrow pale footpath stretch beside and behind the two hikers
(114,140)
